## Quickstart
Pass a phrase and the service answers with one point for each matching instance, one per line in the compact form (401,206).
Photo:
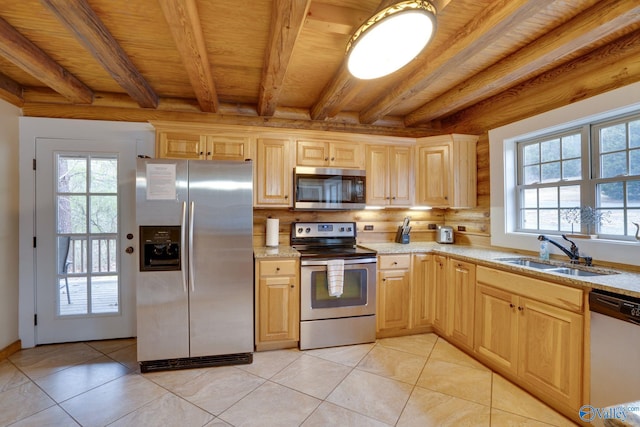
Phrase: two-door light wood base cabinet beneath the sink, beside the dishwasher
(531,331)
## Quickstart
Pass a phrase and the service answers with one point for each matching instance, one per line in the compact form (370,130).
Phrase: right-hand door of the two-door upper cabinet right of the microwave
(401,176)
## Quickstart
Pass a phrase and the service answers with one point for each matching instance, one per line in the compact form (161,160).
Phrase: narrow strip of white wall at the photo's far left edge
(8,223)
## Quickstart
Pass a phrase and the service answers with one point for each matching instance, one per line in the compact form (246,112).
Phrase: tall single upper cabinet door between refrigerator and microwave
(272,181)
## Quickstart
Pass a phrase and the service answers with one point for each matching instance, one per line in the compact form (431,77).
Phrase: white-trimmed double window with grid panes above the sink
(567,177)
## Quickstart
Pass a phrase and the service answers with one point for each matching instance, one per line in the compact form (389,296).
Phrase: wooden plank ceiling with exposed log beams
(282,63)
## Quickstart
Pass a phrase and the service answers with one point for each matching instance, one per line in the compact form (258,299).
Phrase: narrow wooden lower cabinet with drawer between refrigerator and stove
(277,304)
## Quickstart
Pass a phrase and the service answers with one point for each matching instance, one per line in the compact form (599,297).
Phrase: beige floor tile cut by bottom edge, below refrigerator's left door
(168,410)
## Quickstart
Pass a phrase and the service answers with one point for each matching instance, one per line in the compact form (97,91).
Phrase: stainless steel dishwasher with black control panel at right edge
(615,356)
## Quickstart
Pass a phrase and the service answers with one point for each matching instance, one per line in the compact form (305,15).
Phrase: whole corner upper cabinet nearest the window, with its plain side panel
(446,171)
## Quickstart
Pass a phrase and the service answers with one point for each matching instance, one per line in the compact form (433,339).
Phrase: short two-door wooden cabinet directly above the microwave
(335,154)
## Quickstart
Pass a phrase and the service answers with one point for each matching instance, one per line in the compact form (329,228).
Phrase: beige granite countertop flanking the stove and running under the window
(625,283)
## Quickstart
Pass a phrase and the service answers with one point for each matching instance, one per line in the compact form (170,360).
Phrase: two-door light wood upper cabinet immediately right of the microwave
(389,175)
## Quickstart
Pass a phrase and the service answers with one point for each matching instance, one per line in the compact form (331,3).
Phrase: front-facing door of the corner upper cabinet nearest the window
(434,178)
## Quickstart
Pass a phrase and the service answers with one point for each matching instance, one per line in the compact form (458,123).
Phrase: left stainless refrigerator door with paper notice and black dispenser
(162,300)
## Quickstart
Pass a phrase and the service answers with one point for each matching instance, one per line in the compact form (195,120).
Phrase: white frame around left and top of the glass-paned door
(31,129)
